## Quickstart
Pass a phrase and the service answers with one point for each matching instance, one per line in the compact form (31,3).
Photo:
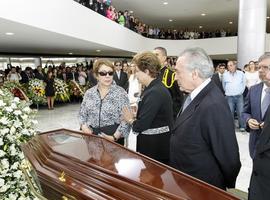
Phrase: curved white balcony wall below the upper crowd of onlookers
(67,17)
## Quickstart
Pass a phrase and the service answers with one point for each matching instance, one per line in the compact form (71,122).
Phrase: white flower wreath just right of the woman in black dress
(61,90)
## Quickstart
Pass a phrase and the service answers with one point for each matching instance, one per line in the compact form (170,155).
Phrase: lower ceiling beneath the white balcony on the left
(32,40)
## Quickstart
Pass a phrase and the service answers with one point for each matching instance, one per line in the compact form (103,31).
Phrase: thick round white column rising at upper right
(251,30)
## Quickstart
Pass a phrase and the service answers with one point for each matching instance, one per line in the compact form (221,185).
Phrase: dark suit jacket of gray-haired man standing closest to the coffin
(203,143)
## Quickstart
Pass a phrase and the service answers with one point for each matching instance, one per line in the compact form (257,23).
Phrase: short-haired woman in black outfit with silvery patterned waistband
(154,117)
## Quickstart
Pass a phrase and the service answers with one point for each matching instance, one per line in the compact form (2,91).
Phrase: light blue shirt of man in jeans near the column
(234,83)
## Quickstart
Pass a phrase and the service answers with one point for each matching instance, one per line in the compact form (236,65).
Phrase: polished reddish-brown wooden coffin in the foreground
(95,168)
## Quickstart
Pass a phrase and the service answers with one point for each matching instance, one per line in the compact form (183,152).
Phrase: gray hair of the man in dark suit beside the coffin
(197,59)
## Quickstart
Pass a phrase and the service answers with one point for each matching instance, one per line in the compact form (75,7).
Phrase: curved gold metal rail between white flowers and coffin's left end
(26,168)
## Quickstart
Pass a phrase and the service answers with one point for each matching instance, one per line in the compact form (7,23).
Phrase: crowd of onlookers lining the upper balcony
(127,19)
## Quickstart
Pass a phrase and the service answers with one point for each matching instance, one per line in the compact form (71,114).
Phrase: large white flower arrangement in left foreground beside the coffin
(16,126)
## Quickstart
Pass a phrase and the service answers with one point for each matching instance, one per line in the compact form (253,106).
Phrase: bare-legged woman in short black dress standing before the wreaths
(49,90)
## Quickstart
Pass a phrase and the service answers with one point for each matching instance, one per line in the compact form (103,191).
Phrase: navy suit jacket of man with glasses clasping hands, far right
(252,109)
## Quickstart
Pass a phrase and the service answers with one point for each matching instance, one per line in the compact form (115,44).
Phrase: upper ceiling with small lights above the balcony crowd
(186,13)
